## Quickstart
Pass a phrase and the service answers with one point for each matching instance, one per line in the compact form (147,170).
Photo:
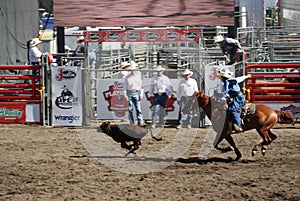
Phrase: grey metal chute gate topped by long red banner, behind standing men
(175,49)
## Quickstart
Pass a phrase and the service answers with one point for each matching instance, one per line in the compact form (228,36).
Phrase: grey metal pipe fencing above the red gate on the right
(273,44)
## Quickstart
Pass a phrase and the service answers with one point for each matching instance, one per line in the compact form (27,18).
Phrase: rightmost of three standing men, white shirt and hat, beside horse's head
(186,89)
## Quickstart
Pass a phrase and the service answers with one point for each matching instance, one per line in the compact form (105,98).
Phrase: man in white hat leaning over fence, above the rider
(229,46)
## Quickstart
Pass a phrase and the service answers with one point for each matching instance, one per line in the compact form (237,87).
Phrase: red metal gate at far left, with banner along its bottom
(21,94)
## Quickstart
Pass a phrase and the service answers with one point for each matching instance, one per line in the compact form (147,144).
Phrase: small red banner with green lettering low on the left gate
(12,112)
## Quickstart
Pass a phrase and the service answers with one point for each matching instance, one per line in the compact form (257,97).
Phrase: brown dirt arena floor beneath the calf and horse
(46,163)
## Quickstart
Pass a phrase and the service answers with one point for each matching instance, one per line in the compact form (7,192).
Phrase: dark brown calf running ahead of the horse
(124,133)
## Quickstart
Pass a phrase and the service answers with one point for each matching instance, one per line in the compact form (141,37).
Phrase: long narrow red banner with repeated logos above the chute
(151,35)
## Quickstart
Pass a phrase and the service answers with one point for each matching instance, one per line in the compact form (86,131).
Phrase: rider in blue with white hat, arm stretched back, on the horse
(232,93)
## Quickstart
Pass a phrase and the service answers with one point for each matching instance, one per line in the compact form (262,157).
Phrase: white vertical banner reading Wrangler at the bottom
(66,96)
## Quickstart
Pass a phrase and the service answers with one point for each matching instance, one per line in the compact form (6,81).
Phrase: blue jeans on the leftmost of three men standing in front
(134,100)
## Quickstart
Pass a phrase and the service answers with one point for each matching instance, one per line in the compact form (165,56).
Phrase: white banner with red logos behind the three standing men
(111,103)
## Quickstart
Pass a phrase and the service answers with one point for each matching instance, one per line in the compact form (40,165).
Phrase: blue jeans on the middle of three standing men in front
(159,104)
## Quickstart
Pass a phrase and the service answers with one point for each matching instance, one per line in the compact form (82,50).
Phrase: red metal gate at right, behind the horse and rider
(273,82)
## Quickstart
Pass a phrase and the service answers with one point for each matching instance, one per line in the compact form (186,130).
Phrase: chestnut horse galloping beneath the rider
(263,119)
